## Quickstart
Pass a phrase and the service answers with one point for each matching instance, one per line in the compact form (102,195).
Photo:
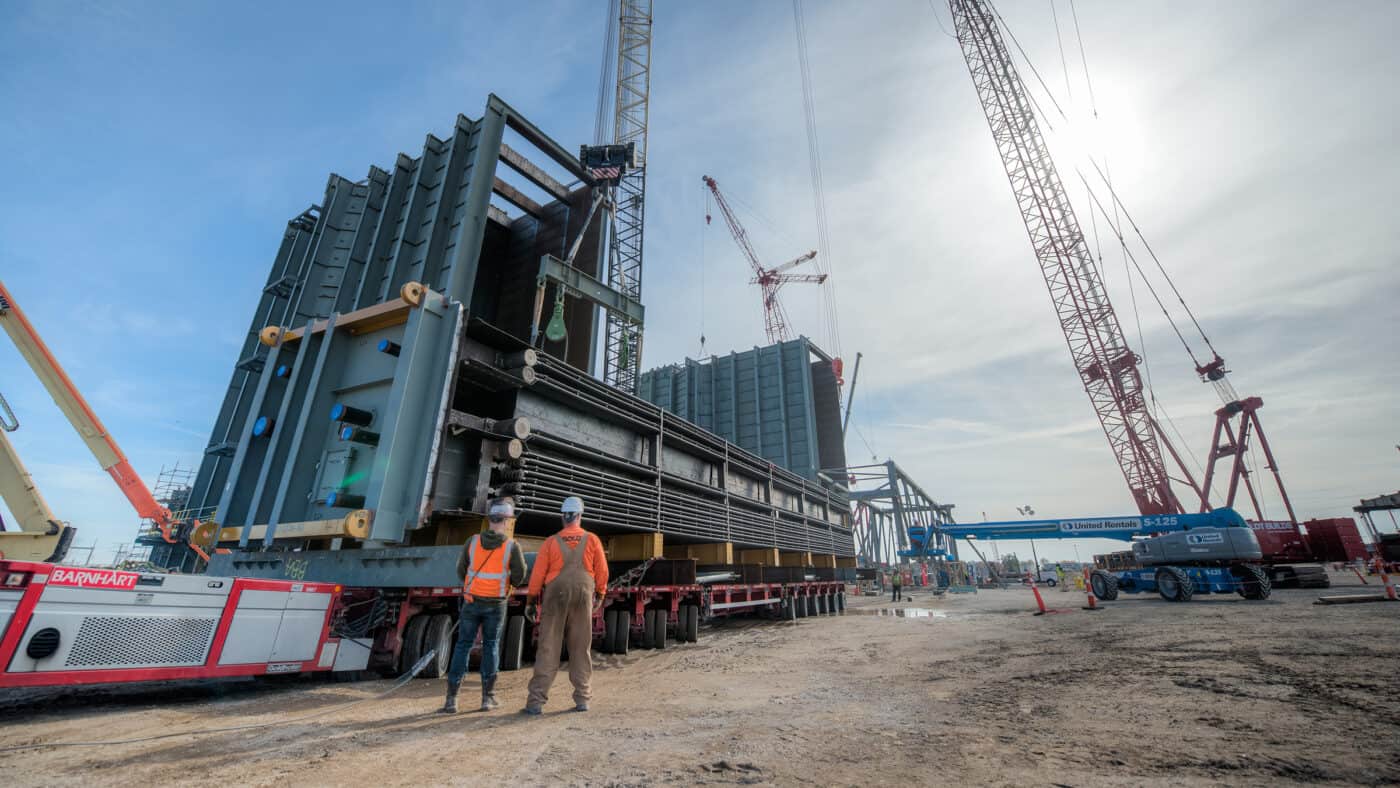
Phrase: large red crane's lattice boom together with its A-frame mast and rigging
(1107,365)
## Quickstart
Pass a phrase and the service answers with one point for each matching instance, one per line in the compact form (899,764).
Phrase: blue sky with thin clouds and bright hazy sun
(155,152)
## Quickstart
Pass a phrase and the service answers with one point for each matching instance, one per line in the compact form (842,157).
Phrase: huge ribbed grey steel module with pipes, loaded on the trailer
(388,387)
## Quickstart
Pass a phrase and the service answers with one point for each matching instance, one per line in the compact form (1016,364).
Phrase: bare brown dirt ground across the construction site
(976,692)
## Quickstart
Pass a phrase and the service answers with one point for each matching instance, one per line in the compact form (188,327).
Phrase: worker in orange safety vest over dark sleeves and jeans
(489,566)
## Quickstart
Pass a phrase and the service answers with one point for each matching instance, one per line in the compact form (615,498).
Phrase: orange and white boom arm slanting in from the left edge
(87,425)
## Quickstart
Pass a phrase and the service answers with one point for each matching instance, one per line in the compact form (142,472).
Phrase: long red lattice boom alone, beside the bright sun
(1107,365)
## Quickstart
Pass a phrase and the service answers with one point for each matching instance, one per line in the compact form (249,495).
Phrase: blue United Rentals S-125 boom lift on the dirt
(1175,556)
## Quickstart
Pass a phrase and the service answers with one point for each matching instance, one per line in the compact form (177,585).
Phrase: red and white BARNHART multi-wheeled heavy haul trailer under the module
(66,626)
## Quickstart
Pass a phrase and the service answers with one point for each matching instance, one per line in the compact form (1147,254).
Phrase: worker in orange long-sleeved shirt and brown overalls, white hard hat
(569,582)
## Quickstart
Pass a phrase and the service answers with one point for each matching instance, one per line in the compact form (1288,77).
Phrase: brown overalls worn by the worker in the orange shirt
(566,612)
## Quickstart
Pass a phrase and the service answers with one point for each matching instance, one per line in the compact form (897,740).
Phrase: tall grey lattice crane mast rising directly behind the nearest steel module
(622,338)
